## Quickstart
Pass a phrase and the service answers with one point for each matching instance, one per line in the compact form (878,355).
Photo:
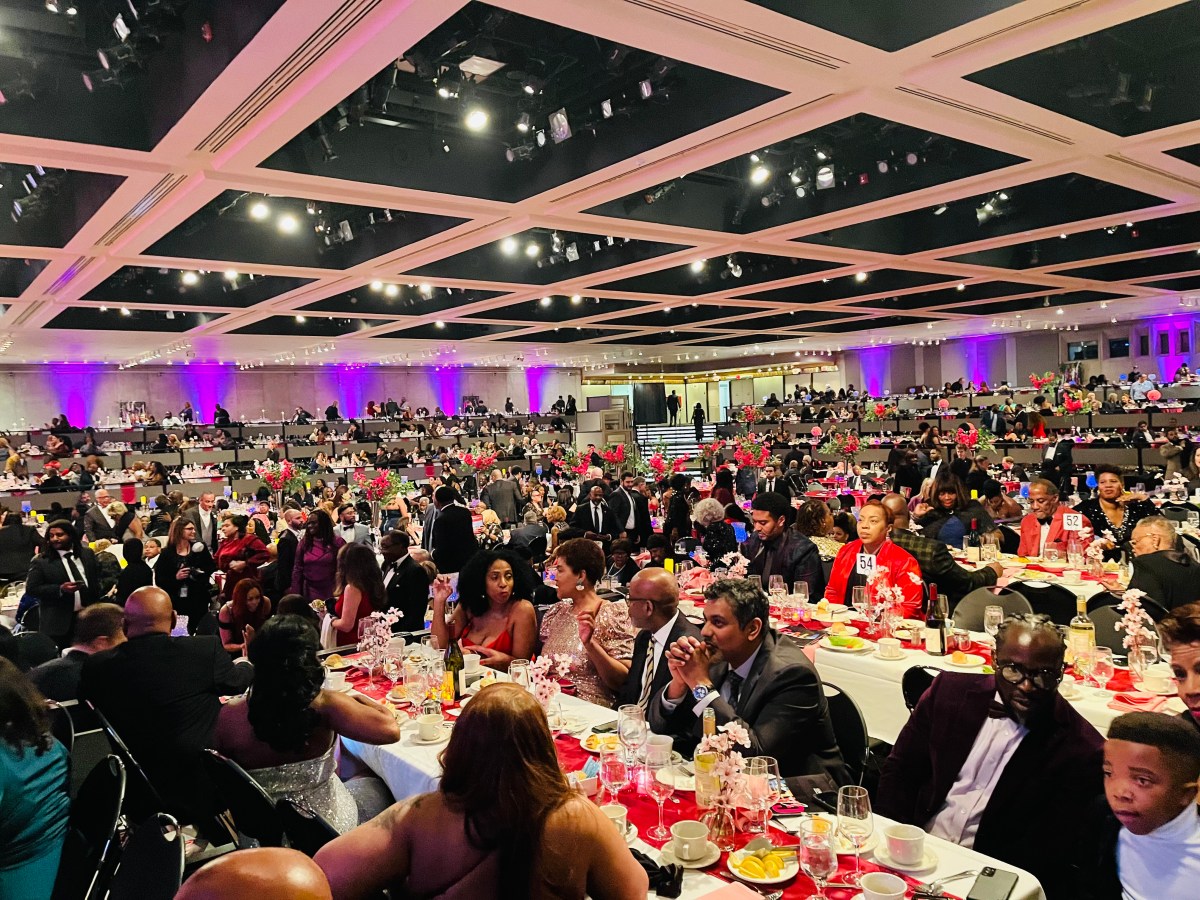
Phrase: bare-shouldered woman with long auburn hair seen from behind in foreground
(503,824)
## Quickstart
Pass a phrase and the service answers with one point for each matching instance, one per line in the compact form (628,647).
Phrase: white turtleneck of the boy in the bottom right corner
(1163,863)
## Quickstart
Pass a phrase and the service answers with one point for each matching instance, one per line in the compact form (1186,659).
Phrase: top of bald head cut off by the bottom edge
(261,873)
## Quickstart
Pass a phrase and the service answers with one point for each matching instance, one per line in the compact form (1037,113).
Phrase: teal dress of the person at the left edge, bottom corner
(34,811)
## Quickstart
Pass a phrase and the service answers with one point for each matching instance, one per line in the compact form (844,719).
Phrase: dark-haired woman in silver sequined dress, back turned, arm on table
(285,733)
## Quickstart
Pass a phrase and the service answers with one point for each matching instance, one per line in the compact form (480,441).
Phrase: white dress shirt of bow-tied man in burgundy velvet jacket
(958,820)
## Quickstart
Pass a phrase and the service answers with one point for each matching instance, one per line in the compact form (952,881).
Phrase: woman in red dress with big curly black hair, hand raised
(495,616)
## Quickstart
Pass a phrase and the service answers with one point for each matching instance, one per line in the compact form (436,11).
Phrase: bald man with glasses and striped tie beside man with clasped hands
(655,610)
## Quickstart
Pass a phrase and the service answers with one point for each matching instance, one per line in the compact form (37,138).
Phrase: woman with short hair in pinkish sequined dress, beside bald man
(597,634)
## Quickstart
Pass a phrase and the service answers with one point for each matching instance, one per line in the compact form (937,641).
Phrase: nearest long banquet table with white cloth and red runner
(411,769)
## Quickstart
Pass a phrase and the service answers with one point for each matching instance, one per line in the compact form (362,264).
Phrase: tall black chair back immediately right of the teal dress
(89,851)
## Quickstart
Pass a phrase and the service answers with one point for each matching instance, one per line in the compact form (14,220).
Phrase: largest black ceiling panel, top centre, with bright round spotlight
(407,135)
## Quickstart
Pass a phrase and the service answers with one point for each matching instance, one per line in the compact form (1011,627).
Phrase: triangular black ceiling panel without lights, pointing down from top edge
(887,25)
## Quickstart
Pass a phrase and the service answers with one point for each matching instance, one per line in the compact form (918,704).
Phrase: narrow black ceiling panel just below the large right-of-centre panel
(721,274)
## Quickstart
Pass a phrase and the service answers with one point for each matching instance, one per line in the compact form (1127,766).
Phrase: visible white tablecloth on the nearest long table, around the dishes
(410,770)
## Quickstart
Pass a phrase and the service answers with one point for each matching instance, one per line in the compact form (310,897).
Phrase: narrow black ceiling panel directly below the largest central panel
(542,256)
